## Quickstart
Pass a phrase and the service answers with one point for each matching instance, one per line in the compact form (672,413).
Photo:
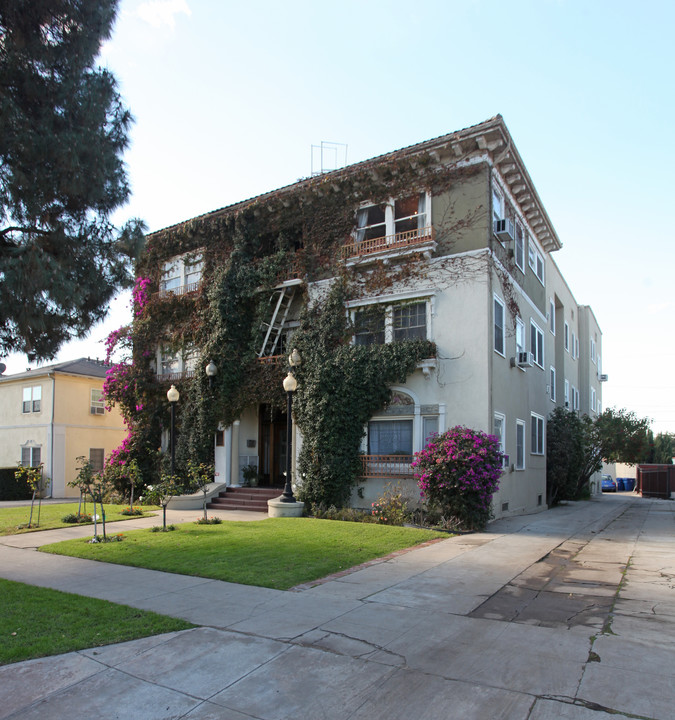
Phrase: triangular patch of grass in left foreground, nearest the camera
(36,622)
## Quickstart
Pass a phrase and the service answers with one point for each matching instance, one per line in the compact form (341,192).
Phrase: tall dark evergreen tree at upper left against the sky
(63,129)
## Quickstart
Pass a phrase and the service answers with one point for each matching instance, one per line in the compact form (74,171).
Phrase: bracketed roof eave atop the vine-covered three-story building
(490,136)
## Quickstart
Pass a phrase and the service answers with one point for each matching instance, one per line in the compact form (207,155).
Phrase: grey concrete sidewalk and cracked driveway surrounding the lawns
(568,614)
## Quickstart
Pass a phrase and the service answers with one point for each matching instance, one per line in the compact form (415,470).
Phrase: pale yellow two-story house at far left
(54,414)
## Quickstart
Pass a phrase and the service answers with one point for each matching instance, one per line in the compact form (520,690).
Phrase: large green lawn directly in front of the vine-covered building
(276,552)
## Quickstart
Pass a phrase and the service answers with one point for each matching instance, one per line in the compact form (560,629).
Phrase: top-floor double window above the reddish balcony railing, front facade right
(402,215)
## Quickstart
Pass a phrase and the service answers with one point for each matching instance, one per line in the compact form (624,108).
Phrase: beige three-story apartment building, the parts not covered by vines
(512,341)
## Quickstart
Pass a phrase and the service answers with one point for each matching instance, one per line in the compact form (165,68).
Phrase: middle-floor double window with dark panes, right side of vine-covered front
(382,323)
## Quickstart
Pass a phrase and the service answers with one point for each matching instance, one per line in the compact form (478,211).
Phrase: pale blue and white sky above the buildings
(230,96)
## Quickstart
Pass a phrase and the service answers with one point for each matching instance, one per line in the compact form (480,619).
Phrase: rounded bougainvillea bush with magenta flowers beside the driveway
(458,473)
